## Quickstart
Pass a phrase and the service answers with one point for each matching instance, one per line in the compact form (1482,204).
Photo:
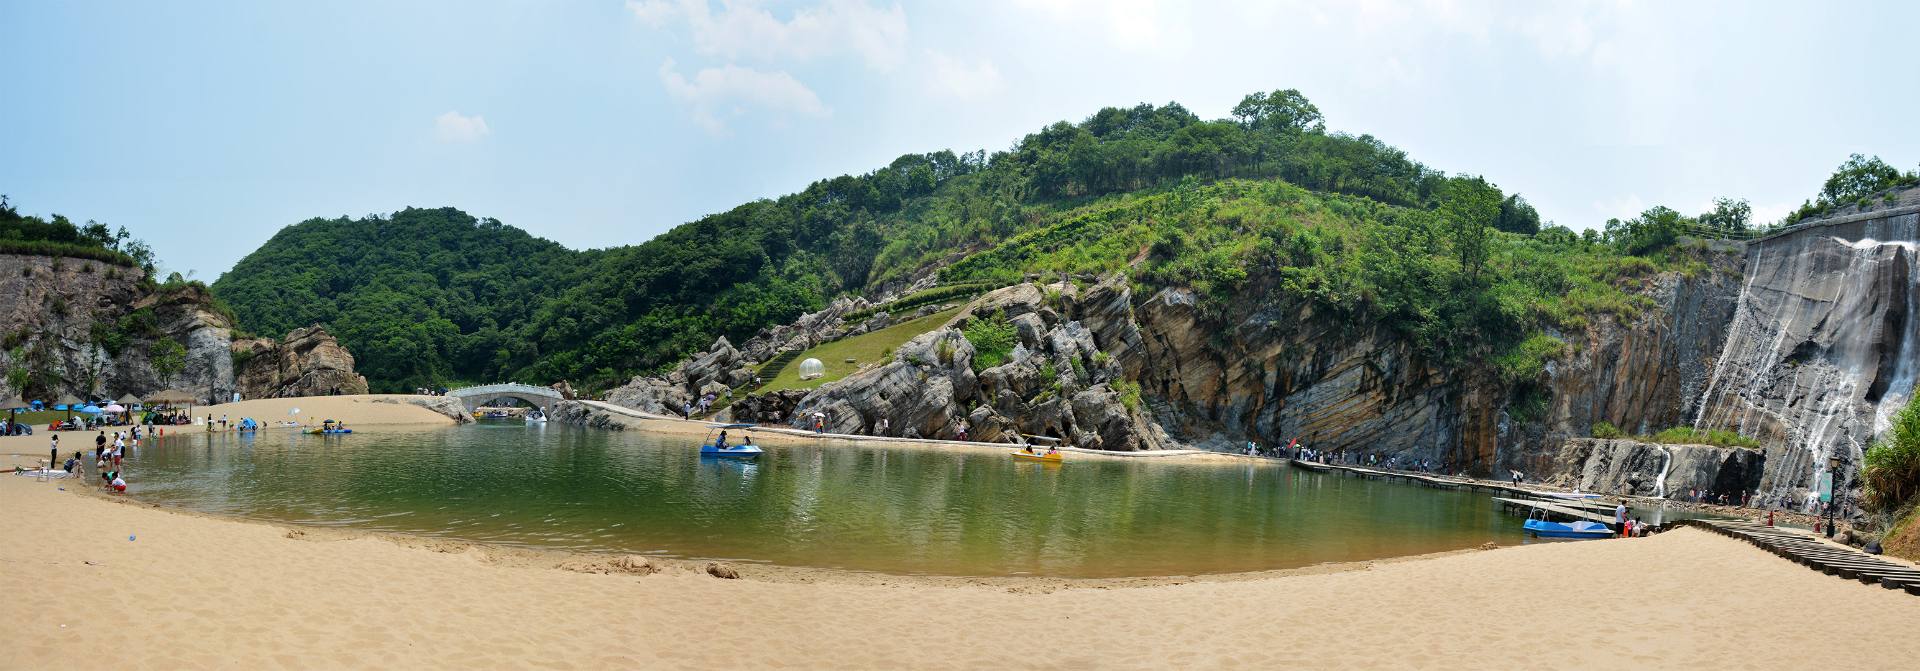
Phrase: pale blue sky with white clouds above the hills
(204,128)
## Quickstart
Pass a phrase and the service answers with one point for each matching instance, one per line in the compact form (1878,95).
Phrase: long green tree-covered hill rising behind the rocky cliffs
(433,297)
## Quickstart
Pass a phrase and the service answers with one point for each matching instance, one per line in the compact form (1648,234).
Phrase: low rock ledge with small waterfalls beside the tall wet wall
(1648,470)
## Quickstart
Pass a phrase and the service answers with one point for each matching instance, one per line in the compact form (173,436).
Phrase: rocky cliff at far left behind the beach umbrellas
(87,328)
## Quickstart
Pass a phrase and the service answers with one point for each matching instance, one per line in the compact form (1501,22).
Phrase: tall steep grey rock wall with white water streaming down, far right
(1823,345)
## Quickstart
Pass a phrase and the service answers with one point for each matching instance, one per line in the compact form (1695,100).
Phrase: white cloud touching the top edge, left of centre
(748,32)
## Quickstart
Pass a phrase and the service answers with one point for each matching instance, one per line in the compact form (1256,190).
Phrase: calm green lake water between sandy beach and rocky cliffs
(828,505)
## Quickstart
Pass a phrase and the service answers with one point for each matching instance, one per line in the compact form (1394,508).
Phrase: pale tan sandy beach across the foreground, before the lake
(99,582)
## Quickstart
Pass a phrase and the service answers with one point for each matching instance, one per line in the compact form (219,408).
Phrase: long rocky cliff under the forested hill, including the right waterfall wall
(1804,339)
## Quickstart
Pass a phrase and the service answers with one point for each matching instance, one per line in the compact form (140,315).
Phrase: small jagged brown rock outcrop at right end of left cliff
(308,362)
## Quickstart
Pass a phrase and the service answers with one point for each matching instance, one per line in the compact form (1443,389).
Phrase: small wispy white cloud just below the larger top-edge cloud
(719,93)
